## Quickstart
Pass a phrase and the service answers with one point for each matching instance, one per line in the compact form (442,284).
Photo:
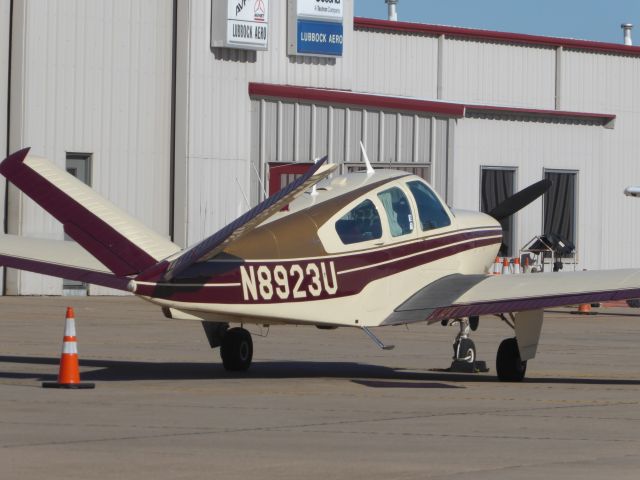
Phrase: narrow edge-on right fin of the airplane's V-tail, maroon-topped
(213,245)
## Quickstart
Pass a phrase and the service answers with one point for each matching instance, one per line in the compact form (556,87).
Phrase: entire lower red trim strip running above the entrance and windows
(449,109)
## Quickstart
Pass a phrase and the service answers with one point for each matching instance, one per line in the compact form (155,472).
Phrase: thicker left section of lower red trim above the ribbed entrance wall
(359,99)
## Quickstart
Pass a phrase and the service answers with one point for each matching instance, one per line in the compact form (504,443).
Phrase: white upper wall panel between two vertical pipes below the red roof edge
(498,74)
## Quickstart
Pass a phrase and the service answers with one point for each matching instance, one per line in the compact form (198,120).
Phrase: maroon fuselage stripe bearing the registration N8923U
(314,279)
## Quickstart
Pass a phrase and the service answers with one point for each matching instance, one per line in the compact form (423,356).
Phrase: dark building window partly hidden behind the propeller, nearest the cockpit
(496,185)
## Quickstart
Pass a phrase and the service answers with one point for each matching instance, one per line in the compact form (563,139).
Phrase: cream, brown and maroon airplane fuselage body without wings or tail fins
(264,280)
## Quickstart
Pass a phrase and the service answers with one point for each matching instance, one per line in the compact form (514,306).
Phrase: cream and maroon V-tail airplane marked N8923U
(362,250)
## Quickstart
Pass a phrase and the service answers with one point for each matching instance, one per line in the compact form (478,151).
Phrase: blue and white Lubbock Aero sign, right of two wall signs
(315,27)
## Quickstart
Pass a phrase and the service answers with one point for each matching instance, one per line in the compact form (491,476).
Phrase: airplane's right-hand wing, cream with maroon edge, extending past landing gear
(458,296)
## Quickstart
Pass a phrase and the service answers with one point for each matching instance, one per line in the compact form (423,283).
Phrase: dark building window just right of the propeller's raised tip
(560,205)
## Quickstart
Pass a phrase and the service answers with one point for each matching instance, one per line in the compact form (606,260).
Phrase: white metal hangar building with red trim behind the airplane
(187,112)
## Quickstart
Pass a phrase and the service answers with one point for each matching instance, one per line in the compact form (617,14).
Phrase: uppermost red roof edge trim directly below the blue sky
(436,30)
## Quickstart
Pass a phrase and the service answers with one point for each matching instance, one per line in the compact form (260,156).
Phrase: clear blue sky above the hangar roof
(597,20)
